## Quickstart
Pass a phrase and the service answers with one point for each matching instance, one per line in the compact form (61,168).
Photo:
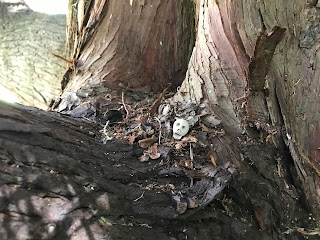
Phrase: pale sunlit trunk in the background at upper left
(27,68)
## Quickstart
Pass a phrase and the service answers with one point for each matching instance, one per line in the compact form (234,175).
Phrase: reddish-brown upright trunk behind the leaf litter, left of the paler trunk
(132,44)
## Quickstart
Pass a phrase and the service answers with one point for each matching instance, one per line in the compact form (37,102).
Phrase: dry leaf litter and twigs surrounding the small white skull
(146,121)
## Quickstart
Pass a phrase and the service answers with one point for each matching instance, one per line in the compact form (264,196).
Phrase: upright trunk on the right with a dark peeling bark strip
(231,66)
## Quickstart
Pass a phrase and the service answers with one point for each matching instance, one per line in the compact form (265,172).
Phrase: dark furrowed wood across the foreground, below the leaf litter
(57,180)
